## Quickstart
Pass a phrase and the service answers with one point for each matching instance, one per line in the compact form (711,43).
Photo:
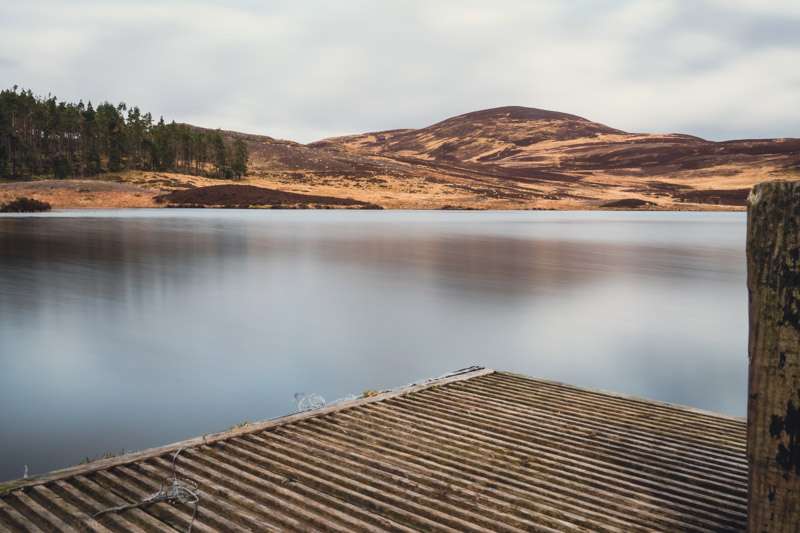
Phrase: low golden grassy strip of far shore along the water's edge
(138,189)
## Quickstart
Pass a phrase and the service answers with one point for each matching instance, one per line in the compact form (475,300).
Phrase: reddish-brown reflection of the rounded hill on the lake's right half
(515,266)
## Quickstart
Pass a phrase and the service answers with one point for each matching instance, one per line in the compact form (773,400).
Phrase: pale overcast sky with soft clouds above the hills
(308,69)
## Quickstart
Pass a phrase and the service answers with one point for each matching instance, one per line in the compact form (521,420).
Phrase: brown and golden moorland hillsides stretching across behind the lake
(502,158)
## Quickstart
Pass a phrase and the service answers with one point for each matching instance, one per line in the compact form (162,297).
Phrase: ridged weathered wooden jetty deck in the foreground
(476,451)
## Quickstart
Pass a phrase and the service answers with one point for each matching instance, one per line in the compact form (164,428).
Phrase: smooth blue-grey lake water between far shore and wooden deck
(130,329)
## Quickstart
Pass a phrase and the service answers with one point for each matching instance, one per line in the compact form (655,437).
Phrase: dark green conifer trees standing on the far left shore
(47,137)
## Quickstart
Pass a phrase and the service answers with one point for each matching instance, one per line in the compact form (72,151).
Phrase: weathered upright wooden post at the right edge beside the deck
(773,411)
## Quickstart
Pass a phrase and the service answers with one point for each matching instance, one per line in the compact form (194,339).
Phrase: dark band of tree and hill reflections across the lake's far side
(109,258)
